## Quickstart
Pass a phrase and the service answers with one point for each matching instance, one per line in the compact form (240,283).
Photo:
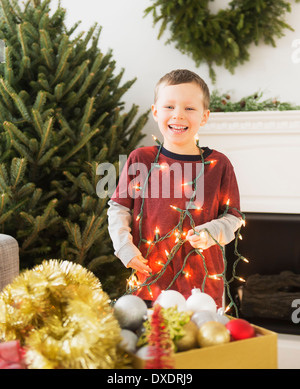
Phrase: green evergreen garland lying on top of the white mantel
(221,102)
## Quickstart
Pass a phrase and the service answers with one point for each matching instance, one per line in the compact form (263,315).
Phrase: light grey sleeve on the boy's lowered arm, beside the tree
(119,220)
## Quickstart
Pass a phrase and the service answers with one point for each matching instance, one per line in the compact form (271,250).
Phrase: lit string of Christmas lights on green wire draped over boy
(180,238)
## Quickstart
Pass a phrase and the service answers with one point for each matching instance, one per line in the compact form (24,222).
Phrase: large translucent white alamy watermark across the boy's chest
(158,181)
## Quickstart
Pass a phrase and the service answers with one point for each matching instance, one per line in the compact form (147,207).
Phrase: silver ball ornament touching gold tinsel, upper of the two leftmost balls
(130,311)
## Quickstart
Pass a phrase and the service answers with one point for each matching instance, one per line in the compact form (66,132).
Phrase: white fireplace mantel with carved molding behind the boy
(264,148)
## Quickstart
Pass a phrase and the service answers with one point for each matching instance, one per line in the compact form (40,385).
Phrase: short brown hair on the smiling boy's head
(184,76)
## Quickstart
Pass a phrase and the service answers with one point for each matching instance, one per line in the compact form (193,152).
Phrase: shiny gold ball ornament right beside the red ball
(212,333)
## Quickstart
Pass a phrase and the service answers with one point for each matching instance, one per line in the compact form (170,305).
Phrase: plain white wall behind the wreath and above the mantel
(136,48)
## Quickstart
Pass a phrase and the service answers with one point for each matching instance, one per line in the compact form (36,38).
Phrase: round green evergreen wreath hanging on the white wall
(221,38)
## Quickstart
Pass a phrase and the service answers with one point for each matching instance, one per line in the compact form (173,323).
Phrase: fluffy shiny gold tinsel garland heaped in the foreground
(62,318)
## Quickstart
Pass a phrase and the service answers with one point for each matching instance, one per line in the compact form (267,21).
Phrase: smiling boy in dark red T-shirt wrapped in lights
(153,238)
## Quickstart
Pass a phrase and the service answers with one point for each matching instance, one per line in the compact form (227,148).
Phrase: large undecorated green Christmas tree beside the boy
(60,117)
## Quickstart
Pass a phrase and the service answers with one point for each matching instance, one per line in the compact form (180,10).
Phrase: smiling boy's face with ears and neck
(179,113)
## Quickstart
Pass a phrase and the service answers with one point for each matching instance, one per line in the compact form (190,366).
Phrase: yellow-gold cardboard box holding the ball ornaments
(259,352)
